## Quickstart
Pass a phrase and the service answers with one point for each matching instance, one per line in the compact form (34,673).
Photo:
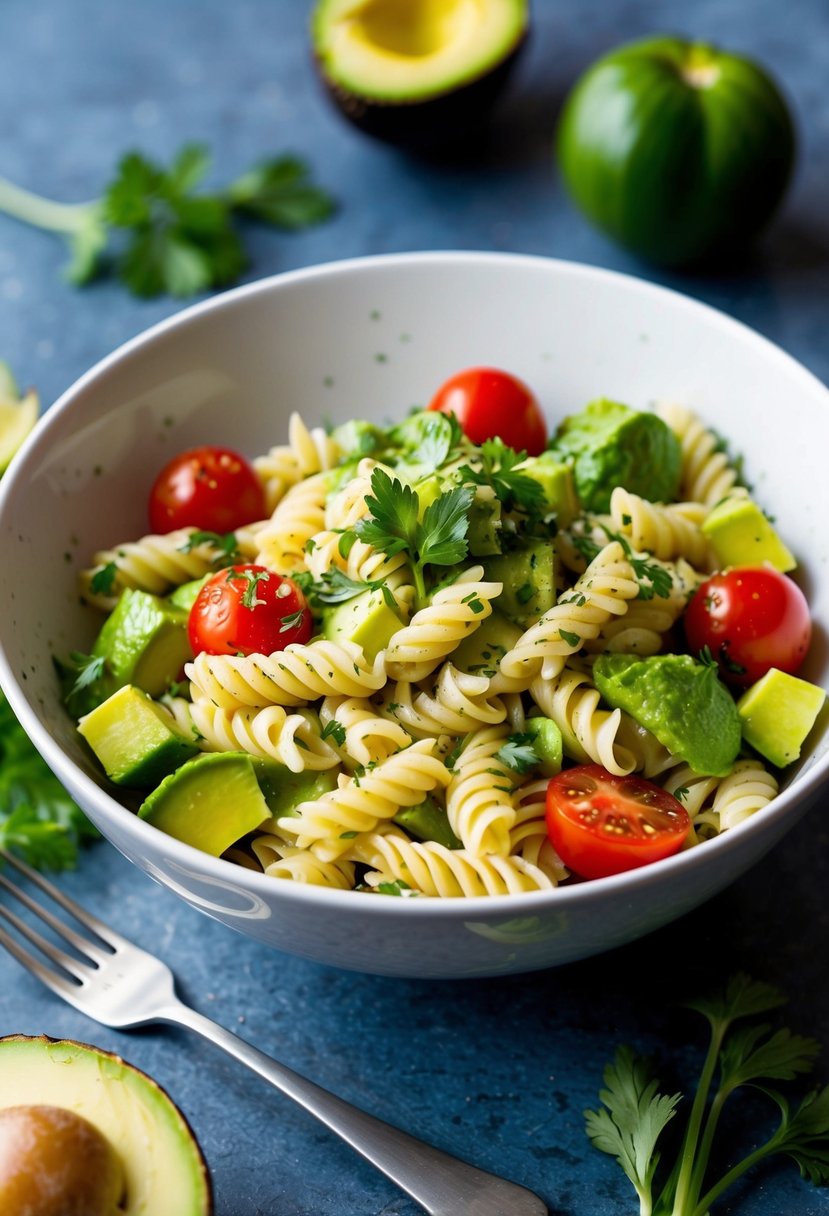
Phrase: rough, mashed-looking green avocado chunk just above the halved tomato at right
(680,701)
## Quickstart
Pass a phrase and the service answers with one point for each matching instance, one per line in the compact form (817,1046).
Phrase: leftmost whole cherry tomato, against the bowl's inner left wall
(210,488)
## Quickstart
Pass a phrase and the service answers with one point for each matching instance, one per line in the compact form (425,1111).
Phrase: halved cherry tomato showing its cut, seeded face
(604,825)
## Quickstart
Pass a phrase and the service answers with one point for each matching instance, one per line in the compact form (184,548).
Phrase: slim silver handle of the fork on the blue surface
(443,1185)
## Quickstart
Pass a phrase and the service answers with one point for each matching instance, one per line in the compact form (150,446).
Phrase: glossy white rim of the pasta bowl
(219,870)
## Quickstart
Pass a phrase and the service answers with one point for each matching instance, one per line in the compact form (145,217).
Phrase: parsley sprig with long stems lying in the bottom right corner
(634,1113)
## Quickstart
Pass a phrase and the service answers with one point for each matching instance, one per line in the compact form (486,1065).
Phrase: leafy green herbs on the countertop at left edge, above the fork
(38,819)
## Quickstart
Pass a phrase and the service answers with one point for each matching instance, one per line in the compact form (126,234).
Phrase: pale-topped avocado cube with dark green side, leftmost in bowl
(136,741)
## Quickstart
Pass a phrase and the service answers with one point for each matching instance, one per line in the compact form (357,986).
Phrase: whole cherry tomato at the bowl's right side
(752,620)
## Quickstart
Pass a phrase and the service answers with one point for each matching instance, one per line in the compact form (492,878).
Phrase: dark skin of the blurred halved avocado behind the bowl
(438,126)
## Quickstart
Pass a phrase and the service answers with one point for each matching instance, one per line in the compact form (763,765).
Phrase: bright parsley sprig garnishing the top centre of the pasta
(394,526)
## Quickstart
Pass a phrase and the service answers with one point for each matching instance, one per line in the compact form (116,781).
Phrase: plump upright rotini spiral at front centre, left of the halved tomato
(480,798)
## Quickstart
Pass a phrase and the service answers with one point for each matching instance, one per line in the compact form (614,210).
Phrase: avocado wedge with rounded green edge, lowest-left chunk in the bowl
(211,802)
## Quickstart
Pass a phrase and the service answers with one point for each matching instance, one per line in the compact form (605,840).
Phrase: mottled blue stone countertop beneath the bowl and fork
(498,1072)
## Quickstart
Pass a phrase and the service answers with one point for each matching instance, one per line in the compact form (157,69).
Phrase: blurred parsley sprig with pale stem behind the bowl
(160,234)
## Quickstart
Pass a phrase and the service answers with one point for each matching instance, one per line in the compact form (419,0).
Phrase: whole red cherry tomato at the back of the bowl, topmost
(489,403)
